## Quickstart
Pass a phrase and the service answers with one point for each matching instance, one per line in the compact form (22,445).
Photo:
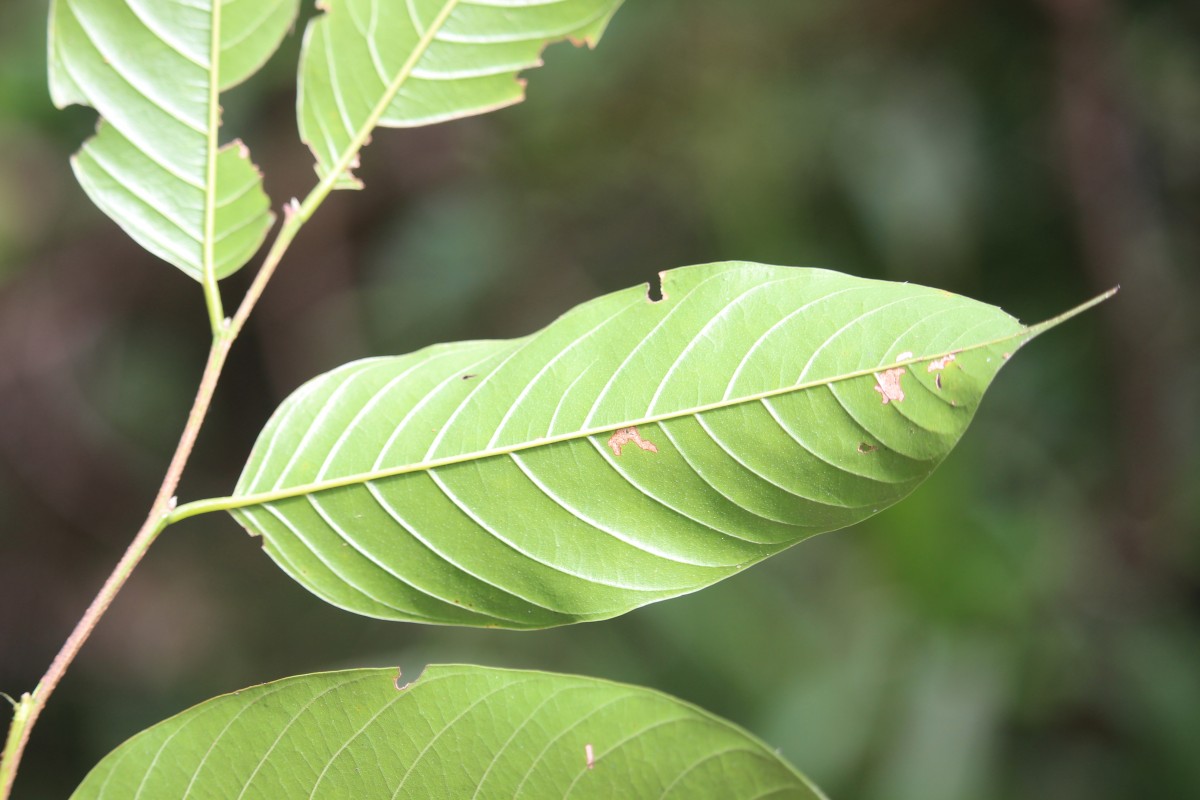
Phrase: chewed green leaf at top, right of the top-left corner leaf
(416,63)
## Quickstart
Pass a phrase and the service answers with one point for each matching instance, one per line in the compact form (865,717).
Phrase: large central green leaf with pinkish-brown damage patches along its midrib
(629,453)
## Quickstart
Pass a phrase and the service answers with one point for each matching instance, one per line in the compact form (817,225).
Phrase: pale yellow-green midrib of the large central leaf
(356,479)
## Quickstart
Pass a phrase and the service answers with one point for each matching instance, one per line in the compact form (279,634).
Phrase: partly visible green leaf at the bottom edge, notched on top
(457,732)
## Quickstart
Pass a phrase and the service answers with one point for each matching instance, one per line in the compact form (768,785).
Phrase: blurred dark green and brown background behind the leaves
(1027,625)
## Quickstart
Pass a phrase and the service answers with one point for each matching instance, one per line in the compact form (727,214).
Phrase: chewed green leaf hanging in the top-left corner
(154,71)
